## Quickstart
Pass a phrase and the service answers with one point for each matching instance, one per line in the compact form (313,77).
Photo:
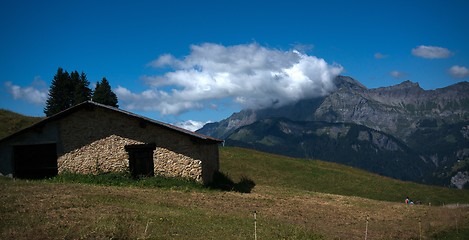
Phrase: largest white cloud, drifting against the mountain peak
(250,75)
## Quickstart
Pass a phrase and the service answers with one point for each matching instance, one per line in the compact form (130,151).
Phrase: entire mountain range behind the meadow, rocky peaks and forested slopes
(401,131)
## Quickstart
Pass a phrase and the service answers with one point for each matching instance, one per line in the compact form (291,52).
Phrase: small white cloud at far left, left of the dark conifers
(36,93)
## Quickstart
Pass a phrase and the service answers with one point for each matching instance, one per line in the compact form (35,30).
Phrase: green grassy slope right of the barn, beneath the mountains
(319,176)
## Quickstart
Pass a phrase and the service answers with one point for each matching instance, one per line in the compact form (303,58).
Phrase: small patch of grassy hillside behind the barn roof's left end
(12,122)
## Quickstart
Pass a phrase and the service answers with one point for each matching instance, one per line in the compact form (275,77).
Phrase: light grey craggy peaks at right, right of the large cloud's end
(397,110)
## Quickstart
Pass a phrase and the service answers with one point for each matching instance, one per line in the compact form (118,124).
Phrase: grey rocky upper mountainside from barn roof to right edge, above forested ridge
(397,110)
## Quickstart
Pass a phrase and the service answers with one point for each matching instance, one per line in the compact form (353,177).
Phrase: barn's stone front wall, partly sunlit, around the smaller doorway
(93,141)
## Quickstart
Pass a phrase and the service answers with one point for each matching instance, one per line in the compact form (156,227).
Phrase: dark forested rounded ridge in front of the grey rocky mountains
(345,143)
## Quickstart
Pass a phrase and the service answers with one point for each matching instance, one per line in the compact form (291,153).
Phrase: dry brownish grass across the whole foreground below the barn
(38,210)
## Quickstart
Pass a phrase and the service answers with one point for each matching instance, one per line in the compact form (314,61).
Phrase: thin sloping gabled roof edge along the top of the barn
(88,104)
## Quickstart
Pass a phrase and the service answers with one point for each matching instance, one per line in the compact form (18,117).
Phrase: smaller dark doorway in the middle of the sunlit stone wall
(141,159)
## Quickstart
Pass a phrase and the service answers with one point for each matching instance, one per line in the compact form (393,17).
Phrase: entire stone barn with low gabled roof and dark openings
(92,138)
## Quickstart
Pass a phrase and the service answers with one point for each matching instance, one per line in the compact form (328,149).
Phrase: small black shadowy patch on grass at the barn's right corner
(223,182)
